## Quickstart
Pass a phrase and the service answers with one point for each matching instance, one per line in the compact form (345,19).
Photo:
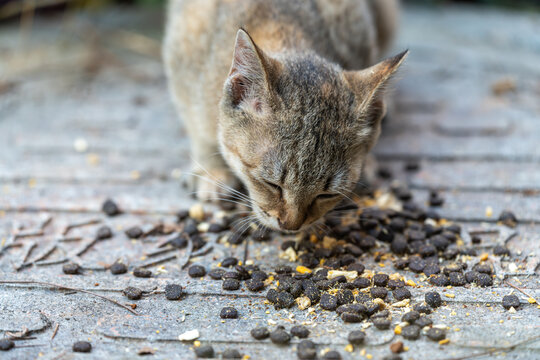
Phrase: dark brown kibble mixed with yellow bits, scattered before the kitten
(328,276)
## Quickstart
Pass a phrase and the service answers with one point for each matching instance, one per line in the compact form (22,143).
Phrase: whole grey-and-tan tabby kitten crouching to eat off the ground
(295,115)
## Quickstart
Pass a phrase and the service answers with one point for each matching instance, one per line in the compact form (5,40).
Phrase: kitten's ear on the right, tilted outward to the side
(368,85)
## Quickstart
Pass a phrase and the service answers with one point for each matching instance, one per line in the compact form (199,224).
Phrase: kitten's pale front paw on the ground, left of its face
(213,186)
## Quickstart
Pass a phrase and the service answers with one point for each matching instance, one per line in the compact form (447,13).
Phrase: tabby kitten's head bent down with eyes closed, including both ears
(296,130)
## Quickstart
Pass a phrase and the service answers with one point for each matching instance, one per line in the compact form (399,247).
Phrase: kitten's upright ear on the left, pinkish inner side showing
(248,81)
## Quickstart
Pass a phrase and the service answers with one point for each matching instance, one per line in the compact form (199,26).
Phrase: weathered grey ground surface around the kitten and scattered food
(85,115)
